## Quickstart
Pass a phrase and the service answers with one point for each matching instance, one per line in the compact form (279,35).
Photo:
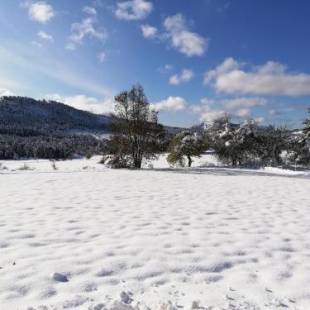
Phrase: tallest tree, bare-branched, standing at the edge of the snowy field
(136,132)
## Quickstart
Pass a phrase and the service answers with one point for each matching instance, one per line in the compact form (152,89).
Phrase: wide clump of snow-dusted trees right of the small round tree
(250,144)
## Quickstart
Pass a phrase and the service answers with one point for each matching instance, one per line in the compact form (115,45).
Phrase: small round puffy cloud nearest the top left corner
(40,11)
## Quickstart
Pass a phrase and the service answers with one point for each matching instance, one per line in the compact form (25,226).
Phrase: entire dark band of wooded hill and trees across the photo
(34,129)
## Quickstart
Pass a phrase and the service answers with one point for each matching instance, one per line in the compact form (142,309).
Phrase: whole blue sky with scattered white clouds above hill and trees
(196,59)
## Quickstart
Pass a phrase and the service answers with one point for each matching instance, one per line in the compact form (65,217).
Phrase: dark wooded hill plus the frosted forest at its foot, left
(46,129)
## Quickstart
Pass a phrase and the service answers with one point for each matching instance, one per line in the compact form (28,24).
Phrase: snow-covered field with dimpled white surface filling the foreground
(81,236)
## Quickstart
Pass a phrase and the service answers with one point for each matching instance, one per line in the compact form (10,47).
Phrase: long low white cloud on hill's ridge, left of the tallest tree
(85,103)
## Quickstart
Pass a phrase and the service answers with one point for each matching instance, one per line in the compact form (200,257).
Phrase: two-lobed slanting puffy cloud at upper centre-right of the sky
(187,42)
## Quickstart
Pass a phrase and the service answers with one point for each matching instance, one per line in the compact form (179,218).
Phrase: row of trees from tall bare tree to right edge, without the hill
(138,136)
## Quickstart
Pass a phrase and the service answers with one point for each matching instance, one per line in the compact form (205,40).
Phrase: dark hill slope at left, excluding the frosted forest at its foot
(27,116)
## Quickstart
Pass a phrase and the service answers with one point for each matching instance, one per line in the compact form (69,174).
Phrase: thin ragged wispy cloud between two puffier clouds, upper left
(86,28)
